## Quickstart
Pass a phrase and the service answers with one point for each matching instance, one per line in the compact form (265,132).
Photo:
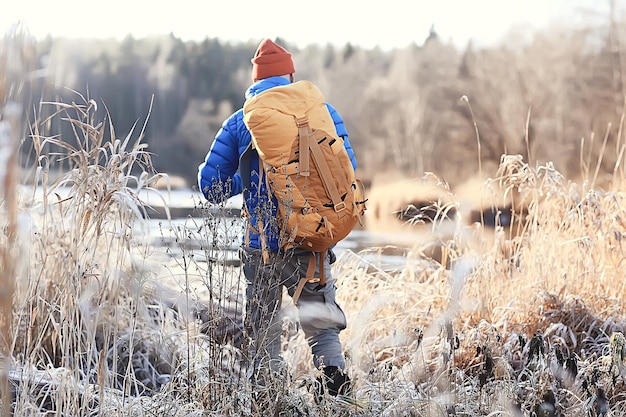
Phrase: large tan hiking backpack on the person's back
(307,167)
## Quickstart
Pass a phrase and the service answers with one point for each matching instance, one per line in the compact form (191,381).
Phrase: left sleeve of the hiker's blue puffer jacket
(217,175)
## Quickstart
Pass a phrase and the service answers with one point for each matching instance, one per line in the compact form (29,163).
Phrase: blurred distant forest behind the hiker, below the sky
(429,107)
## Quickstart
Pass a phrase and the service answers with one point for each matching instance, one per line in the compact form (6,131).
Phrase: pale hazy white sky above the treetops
(386,23)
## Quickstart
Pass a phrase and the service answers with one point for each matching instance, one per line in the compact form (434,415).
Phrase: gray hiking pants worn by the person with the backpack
(320,316)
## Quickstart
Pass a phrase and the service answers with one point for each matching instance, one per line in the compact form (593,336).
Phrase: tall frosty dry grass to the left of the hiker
(105,320)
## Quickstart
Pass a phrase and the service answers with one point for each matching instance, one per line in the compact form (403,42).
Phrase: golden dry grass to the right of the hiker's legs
(493,331)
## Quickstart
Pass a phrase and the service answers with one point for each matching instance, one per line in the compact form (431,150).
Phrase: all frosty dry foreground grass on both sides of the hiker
(106,322)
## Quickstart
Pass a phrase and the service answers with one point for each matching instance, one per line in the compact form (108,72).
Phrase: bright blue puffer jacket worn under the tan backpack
(218,177)
